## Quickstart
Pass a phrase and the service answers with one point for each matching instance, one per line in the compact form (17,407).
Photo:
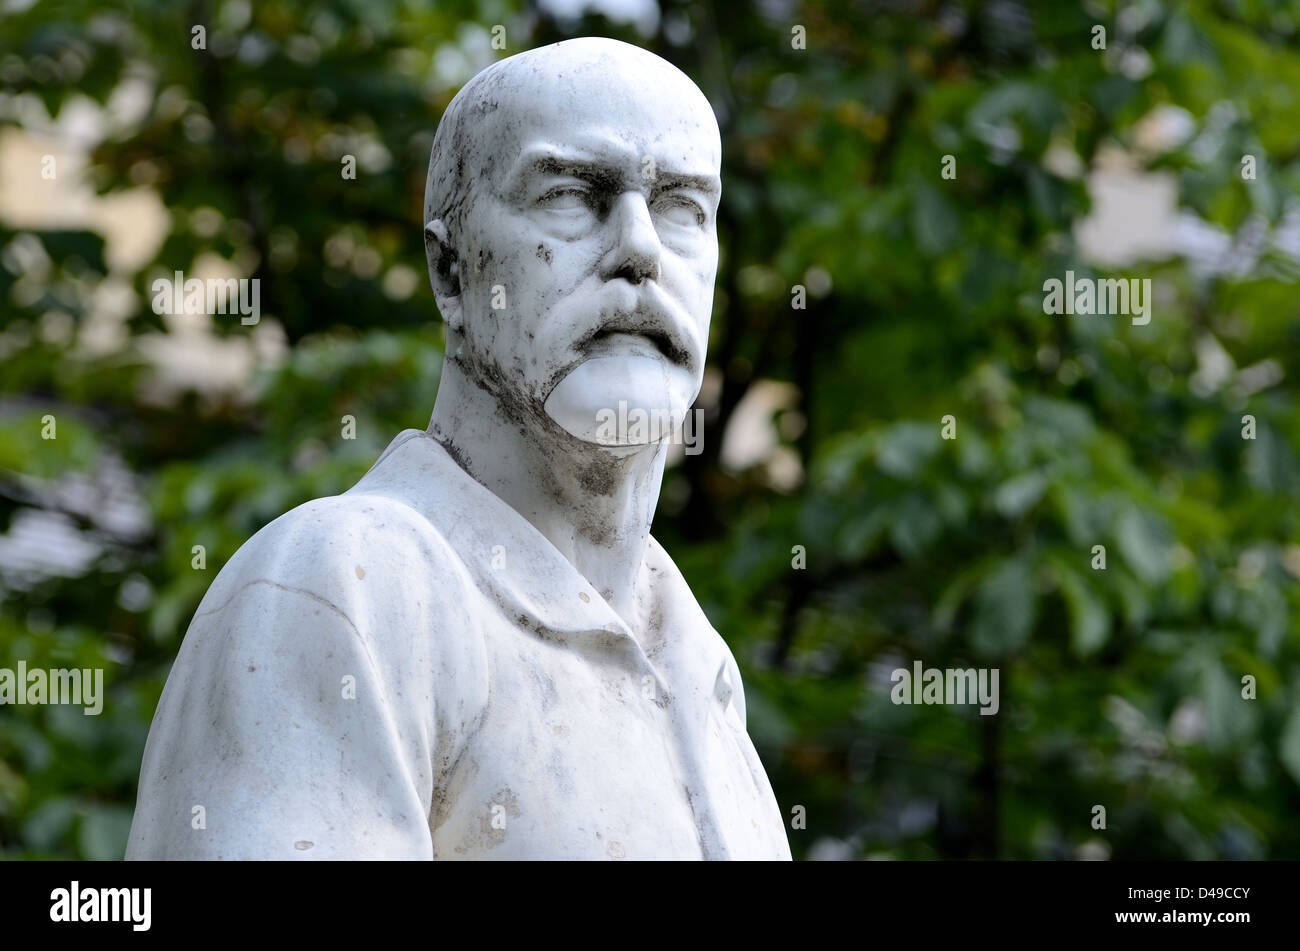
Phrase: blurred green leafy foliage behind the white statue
(1120,687)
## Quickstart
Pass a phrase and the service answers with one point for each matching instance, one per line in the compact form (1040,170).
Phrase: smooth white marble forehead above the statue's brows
(592,94)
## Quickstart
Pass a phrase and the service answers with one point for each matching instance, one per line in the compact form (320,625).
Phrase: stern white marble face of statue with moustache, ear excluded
(590,246)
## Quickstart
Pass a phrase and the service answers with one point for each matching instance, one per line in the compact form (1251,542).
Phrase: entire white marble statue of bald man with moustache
(479,652)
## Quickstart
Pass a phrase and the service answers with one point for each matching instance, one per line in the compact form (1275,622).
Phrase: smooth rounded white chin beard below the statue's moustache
(622,401)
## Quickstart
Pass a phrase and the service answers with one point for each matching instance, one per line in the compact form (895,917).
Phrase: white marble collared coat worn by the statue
(411,671)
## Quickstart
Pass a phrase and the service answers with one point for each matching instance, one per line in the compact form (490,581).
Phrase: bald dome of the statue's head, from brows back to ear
(549,94)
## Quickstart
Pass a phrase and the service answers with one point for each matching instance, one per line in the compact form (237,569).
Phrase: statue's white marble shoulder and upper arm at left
(331,655)
